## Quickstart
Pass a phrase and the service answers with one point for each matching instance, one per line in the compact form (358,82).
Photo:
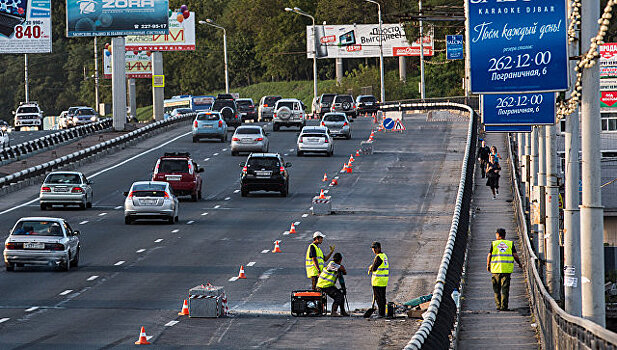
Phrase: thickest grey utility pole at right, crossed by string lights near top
(592,212)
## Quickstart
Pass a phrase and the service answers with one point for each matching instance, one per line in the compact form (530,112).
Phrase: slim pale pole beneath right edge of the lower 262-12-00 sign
(553,260)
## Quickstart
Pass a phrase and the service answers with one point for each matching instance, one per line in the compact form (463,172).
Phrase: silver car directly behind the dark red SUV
(150,200)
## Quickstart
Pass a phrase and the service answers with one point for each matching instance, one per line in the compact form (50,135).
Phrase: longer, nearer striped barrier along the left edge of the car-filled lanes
(75,156)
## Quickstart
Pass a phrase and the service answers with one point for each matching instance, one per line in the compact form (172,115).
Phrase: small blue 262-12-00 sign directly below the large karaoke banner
(519,109)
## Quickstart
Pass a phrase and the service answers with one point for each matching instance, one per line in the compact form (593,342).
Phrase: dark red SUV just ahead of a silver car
(182,173)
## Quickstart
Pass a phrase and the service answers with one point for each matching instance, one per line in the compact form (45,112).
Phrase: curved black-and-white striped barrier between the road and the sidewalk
(436,329)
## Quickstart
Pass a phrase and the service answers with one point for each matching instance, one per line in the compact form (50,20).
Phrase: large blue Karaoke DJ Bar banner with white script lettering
(518,46)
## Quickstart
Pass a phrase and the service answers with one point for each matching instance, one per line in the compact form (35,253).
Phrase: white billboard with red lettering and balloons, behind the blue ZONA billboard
(181,37)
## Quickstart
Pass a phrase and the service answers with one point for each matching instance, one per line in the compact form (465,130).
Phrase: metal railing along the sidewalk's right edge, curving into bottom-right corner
(557,328)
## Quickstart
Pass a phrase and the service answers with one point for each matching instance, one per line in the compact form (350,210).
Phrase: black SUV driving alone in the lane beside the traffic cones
(264,172)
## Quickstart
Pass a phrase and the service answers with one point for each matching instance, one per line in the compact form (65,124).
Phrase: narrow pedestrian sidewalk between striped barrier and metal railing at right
(481,325)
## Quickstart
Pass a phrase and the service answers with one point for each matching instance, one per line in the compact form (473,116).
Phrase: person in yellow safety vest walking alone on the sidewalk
(500,262)
